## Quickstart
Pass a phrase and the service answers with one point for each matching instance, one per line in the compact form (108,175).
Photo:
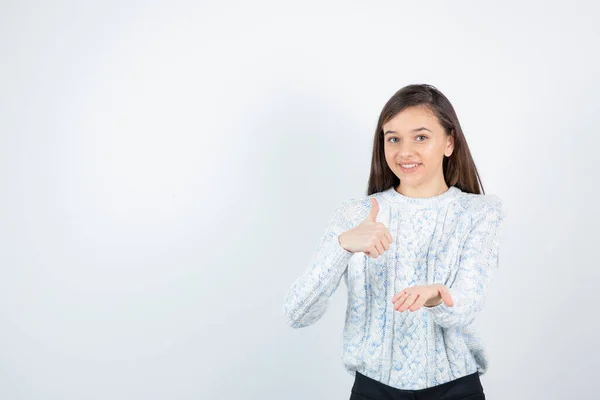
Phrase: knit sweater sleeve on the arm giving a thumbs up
(307,298)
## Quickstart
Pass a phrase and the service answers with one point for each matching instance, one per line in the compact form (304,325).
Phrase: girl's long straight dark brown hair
(459,169)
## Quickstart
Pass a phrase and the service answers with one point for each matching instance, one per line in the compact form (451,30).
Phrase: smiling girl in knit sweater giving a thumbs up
(416,255)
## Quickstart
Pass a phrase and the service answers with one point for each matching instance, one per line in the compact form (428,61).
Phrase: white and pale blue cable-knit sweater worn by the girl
(453,239)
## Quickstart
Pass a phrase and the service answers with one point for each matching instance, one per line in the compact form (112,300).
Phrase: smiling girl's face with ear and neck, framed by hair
(415,136)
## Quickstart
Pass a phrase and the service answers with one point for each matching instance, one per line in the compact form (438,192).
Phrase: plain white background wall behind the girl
(167,169)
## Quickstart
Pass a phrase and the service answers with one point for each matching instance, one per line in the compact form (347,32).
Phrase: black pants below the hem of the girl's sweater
(465,388)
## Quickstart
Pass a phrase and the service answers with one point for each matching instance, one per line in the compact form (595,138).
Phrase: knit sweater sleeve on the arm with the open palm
(479,256)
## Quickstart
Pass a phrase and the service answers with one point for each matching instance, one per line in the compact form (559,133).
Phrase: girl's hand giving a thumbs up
(370,236)
